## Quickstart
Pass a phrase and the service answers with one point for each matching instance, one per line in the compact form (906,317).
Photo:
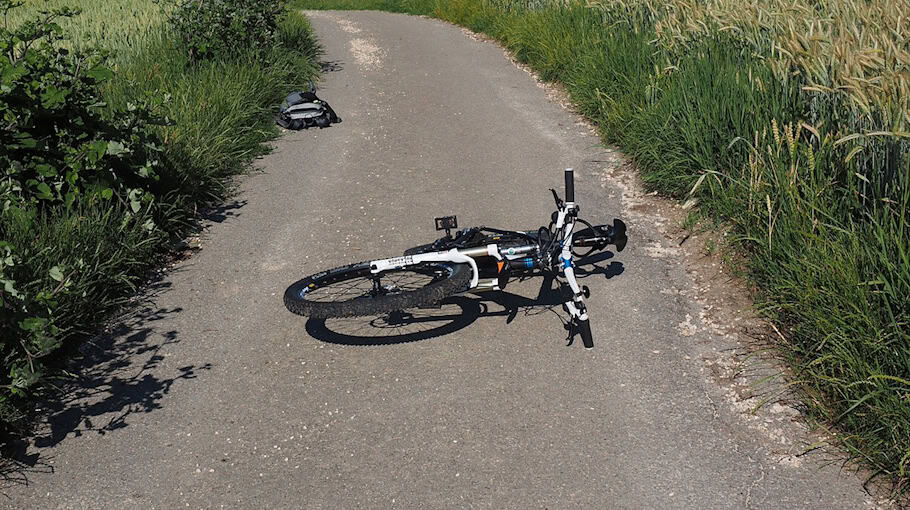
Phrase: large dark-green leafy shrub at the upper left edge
(57,142)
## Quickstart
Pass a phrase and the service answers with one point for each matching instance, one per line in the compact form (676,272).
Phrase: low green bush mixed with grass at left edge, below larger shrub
(61,274)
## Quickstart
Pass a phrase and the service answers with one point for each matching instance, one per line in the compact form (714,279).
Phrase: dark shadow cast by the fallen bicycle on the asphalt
(457,312)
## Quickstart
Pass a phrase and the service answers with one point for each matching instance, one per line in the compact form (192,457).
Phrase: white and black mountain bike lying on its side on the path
(476,258)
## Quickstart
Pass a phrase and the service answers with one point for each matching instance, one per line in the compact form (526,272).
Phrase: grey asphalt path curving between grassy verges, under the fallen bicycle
(214,396)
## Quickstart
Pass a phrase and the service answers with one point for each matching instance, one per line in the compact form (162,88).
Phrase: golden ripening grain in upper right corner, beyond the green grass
(850,58)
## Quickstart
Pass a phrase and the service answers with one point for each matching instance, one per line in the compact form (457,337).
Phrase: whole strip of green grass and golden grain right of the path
(785,119)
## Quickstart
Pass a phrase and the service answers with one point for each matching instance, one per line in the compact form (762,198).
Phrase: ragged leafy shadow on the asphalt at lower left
(112,377)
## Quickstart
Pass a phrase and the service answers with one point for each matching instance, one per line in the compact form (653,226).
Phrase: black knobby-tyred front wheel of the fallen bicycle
(353,291)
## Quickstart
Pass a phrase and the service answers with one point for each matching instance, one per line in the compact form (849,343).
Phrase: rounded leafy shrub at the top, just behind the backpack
(213,28)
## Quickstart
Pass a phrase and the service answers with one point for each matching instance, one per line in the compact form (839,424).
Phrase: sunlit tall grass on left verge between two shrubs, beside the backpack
(220,111)
